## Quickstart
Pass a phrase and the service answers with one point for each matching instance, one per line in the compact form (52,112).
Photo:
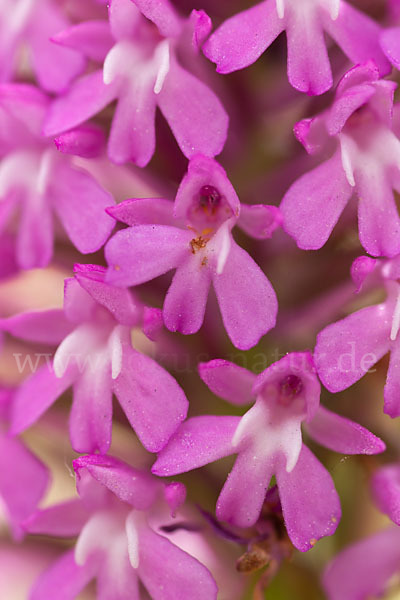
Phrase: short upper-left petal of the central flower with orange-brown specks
(143,211)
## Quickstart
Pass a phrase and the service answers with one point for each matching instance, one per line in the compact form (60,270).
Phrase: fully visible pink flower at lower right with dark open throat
(268,441)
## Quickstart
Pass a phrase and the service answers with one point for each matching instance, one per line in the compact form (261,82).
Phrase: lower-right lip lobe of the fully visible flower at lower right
(310,504)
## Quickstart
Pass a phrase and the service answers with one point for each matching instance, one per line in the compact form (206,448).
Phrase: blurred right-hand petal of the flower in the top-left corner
(55,67)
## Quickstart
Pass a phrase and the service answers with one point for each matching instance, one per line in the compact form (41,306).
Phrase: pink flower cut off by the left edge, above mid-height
(39,182)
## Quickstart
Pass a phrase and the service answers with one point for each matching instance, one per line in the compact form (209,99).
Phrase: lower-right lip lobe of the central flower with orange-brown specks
(246,299)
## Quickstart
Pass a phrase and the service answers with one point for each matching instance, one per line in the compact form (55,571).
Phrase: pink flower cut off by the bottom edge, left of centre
(117,545)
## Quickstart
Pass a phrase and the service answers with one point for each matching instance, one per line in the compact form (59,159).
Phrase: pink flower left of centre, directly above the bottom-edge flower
(96,357)
